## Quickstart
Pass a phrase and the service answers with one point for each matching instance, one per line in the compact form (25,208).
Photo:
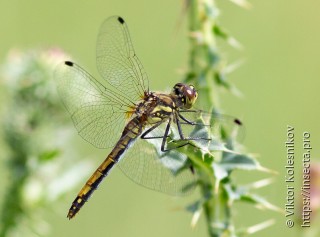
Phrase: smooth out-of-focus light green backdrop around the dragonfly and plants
(279,81)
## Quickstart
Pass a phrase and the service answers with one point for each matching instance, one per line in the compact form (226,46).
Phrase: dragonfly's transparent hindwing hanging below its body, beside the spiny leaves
(148,166)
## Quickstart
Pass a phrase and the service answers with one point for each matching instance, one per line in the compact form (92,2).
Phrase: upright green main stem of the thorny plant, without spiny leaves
(203,65)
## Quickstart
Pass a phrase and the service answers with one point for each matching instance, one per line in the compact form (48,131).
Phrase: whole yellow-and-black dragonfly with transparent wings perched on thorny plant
(143,129)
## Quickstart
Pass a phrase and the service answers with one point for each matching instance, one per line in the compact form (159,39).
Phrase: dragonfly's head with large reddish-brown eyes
(186,95)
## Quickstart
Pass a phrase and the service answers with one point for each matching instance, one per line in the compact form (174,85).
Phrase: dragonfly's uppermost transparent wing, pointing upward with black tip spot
(117,61)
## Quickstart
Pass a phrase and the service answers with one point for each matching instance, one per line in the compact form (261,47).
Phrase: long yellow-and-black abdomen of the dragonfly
(130,133)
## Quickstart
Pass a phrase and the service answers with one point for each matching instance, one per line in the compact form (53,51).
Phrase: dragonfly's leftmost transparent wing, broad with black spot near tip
(97,112)
